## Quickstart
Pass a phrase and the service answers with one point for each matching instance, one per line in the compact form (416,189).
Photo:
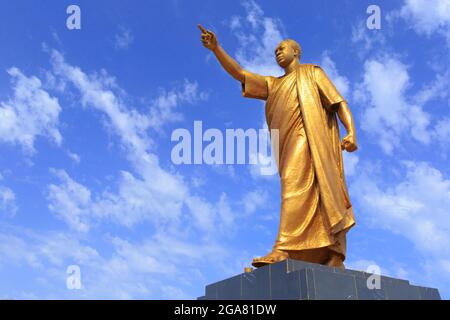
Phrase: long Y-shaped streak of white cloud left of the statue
(157,194)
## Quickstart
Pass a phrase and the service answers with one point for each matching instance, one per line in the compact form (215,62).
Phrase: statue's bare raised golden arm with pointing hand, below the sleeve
(209,41)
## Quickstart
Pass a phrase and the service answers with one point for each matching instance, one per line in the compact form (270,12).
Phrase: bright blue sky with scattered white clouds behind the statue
(86,117)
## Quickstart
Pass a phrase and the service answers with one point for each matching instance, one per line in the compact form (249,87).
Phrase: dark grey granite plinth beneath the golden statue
(298,280)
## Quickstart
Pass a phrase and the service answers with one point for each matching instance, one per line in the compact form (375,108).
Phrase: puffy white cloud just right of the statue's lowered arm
(390,113)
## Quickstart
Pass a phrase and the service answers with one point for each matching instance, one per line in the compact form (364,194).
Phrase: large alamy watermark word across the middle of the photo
(214,147)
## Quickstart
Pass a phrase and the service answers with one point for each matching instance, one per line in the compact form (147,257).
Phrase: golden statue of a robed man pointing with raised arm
(316,212)
